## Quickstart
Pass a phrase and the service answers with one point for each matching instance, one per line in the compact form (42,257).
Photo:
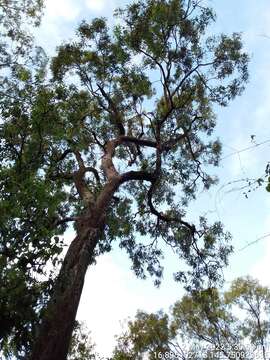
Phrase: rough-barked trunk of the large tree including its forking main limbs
(54,335)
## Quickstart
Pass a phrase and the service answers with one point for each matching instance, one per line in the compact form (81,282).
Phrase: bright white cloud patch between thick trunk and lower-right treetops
(111,294)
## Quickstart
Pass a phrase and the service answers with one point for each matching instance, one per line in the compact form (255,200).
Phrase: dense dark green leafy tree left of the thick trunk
(28,207)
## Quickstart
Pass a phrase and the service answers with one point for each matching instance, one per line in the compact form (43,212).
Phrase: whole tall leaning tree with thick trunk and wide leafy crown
(117,143)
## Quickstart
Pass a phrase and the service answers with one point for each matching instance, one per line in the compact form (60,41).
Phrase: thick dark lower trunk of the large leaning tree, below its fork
(57,324)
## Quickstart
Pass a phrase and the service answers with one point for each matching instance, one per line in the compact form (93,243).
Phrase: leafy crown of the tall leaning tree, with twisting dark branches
(160,130)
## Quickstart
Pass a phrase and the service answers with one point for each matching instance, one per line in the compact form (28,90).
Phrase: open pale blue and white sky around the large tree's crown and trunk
(111,292)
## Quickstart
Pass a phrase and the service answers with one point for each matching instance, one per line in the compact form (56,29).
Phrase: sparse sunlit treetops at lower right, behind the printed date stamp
(206,324)
